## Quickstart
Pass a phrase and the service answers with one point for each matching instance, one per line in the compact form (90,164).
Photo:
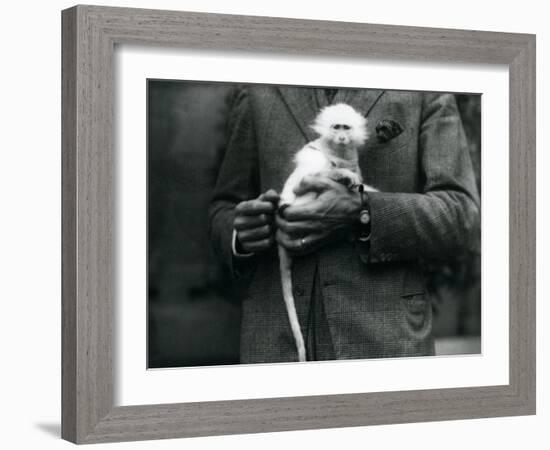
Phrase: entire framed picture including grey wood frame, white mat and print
(277,224)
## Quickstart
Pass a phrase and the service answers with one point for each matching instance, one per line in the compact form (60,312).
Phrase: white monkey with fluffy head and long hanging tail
(342,130)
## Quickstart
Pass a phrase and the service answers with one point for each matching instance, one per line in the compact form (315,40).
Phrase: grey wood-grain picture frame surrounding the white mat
(89,36)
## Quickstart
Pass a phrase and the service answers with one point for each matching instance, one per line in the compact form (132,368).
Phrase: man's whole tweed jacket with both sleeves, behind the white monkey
(427,209)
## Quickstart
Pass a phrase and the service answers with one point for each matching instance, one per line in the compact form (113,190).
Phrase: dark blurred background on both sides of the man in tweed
(193,305)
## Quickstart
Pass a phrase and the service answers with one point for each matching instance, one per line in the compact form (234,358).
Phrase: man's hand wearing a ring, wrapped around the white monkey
(304,228)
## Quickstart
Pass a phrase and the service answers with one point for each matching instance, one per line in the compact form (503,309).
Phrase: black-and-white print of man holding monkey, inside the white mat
(291,224)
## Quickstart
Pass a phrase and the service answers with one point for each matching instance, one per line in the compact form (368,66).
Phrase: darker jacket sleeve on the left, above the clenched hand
(238,179)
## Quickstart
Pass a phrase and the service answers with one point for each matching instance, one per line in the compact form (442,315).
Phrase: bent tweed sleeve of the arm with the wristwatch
(442,220)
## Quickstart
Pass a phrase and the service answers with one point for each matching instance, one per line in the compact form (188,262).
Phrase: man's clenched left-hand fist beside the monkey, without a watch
(254,223)
